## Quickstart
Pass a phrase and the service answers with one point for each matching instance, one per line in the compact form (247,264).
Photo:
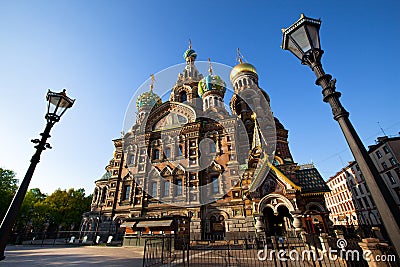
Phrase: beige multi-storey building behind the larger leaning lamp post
(350,200)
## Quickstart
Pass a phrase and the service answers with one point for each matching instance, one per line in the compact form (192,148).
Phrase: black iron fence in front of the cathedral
(306,250)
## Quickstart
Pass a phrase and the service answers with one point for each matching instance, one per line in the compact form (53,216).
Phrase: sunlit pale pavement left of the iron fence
(72,256)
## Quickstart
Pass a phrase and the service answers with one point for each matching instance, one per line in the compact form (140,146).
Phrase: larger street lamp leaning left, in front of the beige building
(302,39)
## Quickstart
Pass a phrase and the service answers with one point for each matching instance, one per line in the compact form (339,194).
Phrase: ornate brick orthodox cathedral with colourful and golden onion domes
(226,173)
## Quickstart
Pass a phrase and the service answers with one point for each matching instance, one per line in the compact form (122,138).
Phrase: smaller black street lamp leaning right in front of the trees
(58,103)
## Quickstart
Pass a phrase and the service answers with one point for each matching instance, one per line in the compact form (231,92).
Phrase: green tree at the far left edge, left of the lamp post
(8,187)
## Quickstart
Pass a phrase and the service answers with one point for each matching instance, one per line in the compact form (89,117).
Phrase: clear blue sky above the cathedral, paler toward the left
(102,51)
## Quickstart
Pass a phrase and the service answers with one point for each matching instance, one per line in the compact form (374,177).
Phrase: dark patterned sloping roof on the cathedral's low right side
(311,180)
